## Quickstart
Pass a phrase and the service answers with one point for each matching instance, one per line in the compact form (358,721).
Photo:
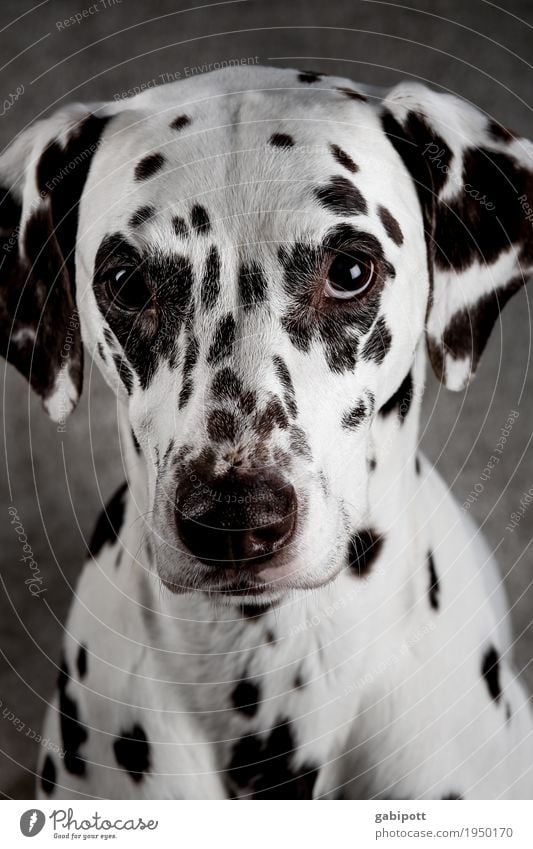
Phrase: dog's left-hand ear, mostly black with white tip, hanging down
(42,175)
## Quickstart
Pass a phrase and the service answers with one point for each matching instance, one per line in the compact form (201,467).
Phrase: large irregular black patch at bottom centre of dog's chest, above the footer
(265,769)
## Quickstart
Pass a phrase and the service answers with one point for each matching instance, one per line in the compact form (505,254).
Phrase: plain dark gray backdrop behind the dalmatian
(58,481)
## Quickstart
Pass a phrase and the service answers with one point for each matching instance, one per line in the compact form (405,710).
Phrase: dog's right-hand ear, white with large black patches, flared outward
(475,184)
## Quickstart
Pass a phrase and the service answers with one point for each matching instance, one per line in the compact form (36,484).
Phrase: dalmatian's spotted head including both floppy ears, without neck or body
(258,255)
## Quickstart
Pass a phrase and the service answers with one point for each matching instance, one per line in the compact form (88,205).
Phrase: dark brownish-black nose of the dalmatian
(235,520)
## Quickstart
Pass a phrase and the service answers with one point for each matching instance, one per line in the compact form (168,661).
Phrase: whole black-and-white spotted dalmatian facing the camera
(283,600)
